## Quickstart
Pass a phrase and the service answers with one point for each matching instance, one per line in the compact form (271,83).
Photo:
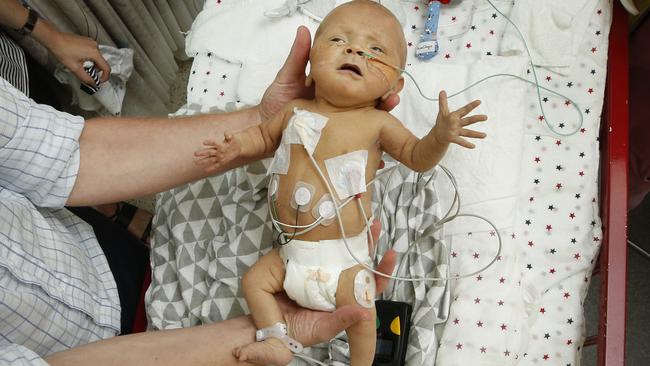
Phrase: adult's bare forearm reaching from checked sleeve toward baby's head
(125,158)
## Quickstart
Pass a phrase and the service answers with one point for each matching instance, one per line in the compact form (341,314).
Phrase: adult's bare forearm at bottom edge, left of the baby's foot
(202,345)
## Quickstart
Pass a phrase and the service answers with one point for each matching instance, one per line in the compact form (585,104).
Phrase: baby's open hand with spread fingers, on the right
(450,125)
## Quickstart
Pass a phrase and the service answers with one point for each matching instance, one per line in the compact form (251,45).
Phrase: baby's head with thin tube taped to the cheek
(342,72)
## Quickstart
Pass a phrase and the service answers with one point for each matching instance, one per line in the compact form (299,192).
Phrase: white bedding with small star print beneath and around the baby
(540,189)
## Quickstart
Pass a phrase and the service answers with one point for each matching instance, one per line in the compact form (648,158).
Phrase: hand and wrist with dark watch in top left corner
(70,49)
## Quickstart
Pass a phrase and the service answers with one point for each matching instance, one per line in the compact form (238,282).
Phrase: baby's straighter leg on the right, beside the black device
(362,335)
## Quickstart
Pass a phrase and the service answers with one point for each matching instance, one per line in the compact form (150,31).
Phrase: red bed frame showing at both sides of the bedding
(613,191)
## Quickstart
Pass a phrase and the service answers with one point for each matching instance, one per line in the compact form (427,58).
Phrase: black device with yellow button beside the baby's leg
(393,325)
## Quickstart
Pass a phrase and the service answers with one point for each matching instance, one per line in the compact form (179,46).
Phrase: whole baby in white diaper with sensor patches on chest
(325,150)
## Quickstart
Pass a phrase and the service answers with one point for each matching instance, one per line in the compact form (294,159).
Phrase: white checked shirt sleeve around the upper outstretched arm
(39,148)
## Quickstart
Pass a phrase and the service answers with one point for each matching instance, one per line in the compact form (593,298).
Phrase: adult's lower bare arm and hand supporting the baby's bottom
(213,344)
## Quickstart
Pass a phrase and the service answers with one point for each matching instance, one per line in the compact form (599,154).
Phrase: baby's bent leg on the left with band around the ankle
(260,283)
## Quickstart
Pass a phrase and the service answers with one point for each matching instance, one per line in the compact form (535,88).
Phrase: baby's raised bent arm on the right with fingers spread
(422,154)
